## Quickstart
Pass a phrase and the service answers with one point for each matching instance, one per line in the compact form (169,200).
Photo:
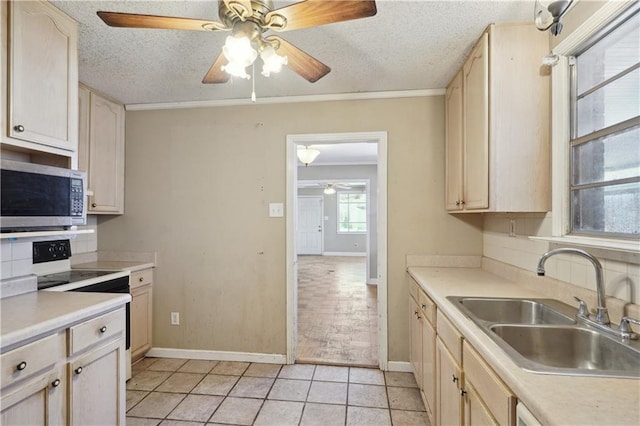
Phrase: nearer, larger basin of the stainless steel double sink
(568,350)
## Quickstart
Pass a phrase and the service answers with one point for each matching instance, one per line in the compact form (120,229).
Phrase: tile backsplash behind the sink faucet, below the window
(622,279)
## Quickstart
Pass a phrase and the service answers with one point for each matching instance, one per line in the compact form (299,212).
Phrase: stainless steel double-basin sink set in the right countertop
(542,336)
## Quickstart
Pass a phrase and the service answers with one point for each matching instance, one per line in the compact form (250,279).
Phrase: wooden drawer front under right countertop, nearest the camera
(495,394)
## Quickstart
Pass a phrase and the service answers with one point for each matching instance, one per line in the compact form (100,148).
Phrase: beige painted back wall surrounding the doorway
(198,183)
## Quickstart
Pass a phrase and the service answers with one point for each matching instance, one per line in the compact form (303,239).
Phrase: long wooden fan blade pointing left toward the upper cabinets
(132,20)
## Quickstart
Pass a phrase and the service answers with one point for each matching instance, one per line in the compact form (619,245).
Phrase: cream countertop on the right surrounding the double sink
(553,399)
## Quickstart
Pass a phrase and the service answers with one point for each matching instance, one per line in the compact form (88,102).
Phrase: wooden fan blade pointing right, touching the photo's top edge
(312,13)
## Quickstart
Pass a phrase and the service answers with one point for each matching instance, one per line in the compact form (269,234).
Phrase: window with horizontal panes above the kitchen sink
(605,134)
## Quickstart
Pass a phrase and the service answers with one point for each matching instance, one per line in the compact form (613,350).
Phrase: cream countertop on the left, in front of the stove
(30,315)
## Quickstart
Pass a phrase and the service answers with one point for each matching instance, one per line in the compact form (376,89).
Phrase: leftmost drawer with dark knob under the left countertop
(31,358)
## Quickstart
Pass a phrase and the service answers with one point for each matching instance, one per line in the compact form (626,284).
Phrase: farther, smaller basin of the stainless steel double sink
(515,311)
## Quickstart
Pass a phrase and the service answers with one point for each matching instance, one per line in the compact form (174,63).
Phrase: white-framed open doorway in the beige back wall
(336,251)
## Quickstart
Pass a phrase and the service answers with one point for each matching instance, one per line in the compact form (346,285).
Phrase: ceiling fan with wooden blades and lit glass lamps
(248,20)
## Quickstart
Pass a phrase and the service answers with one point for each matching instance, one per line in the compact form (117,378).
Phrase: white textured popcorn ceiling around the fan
(408,45)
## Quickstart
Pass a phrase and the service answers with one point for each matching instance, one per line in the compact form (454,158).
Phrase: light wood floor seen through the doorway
(337,312)
